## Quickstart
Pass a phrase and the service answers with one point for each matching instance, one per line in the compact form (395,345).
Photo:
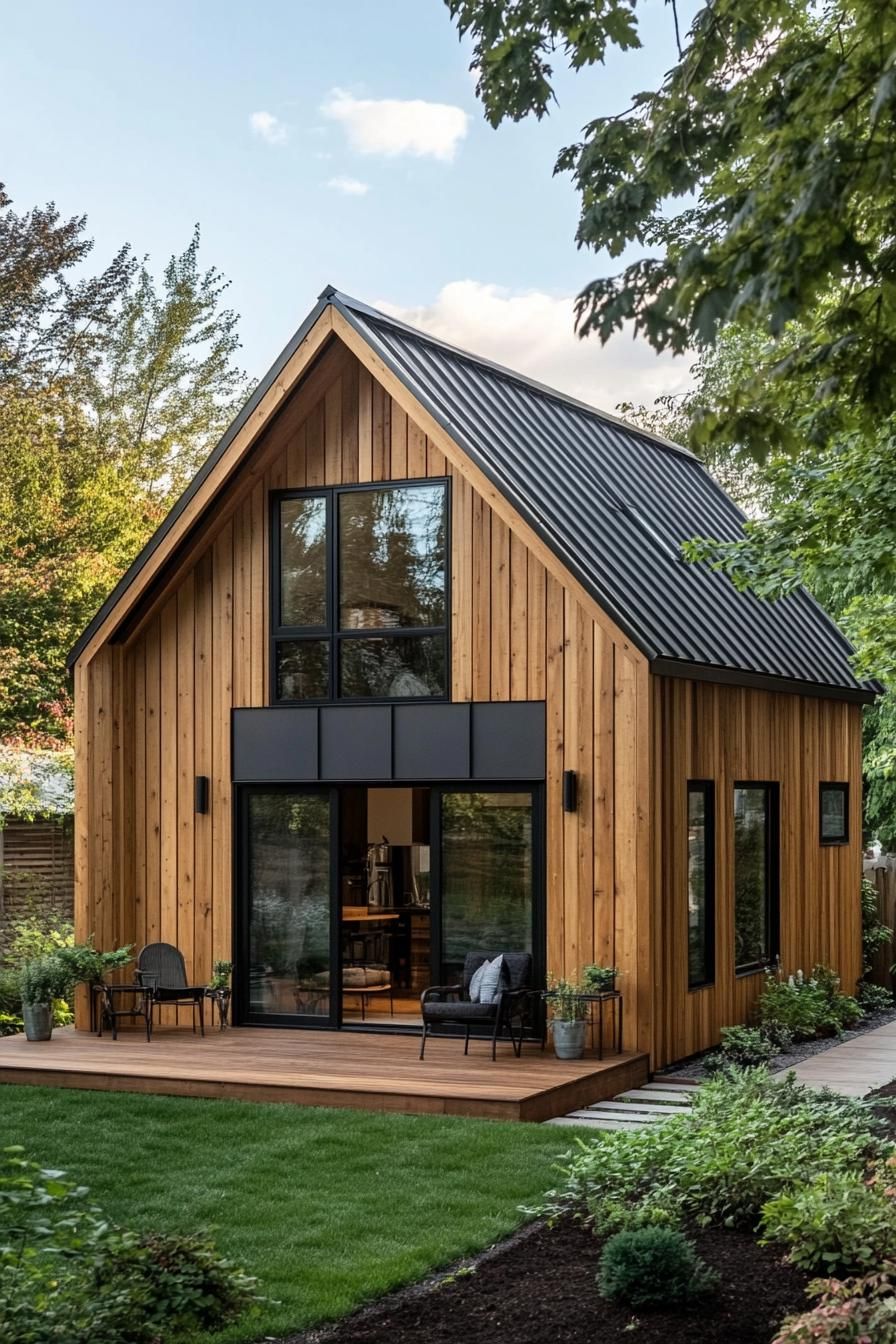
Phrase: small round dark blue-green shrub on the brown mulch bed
(654,1267)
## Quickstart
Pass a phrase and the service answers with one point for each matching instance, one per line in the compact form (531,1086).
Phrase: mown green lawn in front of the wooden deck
(328,1209)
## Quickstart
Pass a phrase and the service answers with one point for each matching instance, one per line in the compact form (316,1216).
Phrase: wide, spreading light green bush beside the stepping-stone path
(745,1140)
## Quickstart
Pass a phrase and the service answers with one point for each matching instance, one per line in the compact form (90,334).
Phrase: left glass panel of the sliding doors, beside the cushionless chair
(289,889)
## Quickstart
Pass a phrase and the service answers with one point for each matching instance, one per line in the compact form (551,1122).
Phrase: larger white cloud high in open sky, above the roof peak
(394,127)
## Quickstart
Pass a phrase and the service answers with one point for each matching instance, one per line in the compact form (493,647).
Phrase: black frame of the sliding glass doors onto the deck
(334,1021)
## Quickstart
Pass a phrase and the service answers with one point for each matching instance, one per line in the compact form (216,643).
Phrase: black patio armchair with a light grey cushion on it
(449,1006)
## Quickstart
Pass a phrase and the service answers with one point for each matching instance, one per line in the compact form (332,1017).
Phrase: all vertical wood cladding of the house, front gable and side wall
(155,712)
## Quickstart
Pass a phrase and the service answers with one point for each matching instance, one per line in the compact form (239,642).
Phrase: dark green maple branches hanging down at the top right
(758,181)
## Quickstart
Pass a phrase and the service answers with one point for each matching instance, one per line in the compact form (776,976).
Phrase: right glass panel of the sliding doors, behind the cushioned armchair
(487,876)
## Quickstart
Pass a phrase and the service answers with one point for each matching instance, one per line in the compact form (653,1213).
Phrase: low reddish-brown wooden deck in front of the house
(324,1069)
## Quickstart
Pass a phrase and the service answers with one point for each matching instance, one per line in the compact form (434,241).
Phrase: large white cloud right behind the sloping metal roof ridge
(534,334)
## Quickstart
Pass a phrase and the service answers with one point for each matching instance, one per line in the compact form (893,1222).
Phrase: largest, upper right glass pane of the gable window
(393,557)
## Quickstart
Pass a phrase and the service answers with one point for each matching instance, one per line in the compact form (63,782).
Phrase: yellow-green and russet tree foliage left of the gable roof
(114,389)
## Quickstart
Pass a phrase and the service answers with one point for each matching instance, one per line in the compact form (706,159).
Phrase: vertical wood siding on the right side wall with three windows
(727,734)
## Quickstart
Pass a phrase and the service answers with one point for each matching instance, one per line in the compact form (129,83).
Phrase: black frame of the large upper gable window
(331,634)
